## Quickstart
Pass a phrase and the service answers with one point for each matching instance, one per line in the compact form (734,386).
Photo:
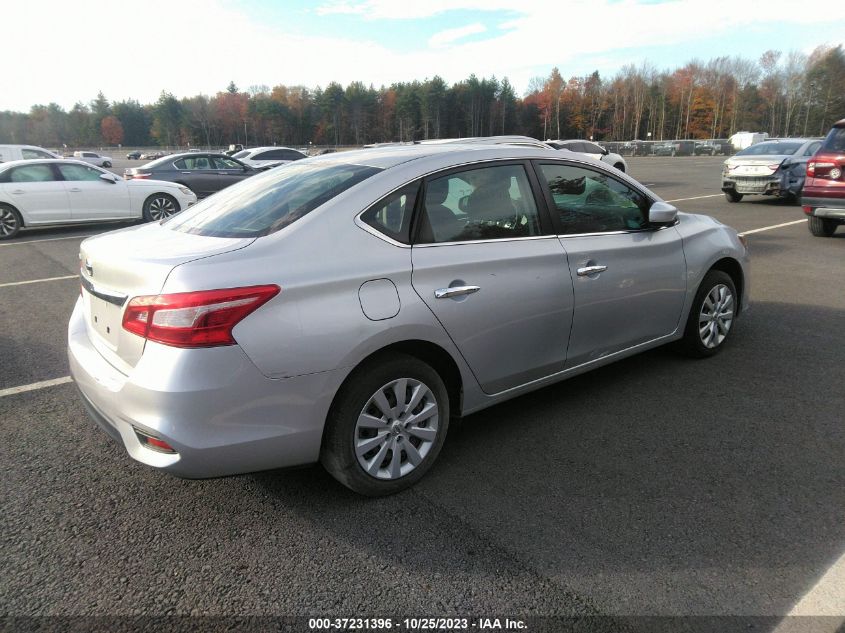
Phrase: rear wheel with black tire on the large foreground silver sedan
(357,422)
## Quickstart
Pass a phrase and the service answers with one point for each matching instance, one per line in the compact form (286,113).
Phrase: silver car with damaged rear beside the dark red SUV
(774,167)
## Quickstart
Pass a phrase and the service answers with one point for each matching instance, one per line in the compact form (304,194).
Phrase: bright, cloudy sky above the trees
(68,51)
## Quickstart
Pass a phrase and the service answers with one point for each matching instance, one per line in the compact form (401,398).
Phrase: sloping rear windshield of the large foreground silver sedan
(266,203)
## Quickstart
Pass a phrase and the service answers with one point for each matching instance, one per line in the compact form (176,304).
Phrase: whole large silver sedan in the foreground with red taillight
(345,308)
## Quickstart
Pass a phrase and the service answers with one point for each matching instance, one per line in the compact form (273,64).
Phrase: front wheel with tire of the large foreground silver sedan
(715,305)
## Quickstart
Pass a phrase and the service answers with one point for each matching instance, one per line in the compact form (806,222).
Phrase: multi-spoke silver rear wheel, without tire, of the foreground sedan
(396,429)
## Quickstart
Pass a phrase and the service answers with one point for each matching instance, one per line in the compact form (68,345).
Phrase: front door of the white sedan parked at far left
(91,197)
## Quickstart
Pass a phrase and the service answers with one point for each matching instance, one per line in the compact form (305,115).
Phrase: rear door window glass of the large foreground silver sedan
(479,204)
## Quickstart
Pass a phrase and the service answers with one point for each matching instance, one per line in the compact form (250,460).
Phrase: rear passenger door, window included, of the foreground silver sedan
(488,265)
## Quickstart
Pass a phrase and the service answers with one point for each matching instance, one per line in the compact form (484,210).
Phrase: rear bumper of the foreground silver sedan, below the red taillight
(212,405)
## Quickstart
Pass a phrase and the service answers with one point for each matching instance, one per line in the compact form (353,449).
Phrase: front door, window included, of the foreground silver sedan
(629,278)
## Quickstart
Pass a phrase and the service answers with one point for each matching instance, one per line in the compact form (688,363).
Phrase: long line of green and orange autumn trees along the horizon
(785,95)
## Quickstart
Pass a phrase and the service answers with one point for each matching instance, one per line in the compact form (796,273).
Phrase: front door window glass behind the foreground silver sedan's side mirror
(589,201)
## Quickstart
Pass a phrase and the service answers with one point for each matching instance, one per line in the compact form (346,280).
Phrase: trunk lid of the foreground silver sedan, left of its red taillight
(120,265)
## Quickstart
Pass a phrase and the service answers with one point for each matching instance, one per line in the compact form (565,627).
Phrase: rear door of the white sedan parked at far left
(36,191)
